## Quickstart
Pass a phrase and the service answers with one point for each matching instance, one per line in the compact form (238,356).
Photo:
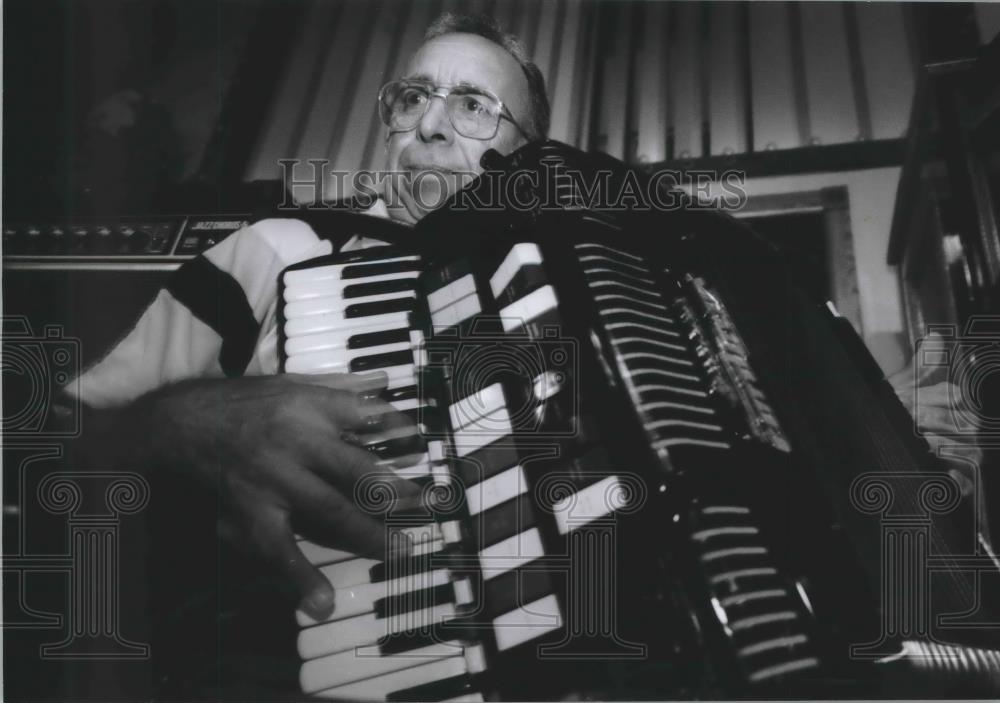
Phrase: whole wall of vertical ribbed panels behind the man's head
(653,71)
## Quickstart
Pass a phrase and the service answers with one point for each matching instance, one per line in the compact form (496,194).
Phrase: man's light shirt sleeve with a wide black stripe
(215,317)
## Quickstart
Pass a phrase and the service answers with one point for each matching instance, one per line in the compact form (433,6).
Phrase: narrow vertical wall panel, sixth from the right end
(650,99)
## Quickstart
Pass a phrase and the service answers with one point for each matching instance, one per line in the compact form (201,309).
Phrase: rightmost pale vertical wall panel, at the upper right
(887,68)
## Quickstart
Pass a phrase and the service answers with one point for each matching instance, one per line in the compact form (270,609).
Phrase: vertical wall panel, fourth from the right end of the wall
(727,116)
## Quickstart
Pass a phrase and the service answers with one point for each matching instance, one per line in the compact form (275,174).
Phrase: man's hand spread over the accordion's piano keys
(277,448)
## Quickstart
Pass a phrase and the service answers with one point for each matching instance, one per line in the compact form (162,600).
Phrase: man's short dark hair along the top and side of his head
(489,28)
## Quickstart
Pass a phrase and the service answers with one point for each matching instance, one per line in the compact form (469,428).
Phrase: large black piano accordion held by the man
(652,469)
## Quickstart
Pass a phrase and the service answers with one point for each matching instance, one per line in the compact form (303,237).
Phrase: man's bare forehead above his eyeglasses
(465,59)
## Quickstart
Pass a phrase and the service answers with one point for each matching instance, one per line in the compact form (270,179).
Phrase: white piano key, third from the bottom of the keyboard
(344,635)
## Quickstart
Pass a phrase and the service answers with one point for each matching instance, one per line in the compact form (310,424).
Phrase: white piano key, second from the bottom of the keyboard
(357,665)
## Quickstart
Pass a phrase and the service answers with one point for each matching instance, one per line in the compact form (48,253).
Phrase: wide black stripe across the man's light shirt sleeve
(215,298)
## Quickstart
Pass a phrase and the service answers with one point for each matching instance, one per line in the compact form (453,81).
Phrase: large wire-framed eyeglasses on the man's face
(473,112)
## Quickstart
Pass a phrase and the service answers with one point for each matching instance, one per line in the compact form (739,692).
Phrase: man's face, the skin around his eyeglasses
(434,145)
